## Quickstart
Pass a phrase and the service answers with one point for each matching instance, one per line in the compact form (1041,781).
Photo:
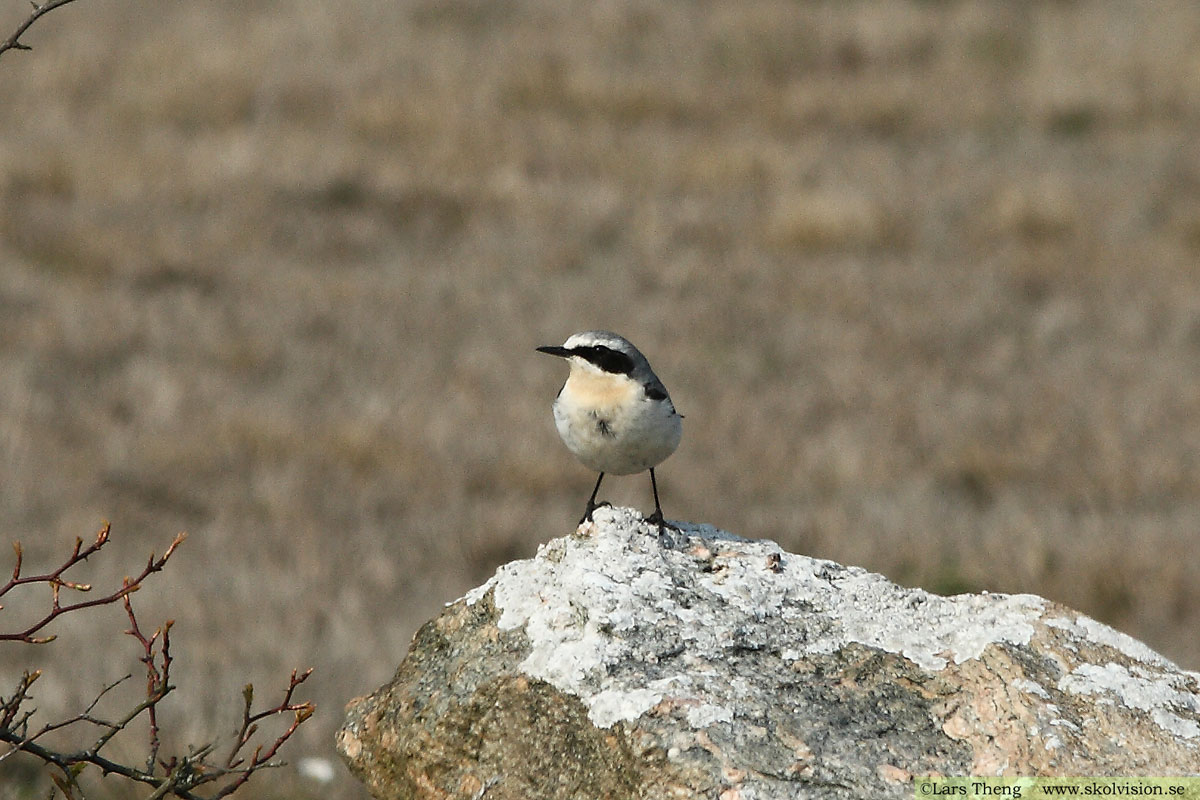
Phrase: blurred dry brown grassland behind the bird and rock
(922,276)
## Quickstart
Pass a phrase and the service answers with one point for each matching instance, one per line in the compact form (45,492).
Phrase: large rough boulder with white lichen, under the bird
(621,664)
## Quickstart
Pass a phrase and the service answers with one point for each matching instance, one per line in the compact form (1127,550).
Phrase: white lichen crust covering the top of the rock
(591,603)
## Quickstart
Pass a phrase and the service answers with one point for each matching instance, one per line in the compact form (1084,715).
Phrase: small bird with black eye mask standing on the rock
(614,413)
